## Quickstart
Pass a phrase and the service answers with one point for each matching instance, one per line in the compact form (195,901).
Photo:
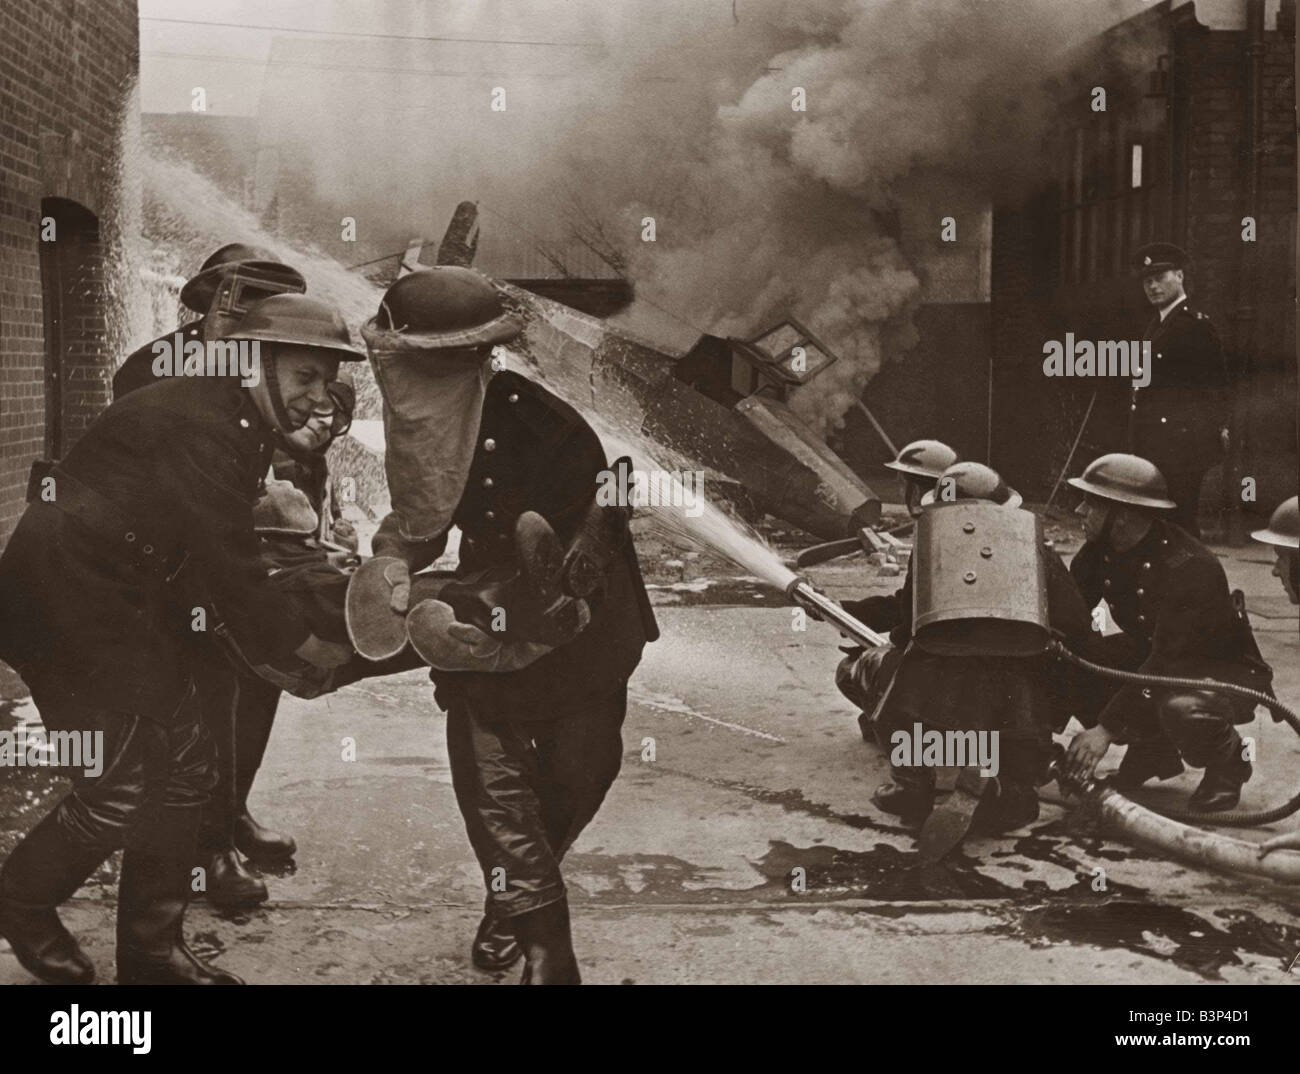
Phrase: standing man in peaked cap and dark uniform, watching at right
(1180,419)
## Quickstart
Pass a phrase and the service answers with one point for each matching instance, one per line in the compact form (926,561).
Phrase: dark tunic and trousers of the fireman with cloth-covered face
(534,752)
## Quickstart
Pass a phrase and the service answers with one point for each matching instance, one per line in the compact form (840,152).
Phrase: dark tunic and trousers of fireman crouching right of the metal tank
(1169,597)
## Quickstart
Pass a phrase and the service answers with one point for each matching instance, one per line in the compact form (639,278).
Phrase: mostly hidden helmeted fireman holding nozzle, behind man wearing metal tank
(864,674)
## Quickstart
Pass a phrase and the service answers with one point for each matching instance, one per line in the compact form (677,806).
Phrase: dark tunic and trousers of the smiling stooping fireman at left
(162,486)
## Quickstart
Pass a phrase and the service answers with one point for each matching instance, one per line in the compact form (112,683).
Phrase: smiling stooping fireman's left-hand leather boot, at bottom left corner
(44,871)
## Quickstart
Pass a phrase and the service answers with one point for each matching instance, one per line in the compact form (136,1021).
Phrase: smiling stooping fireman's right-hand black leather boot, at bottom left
(151,900)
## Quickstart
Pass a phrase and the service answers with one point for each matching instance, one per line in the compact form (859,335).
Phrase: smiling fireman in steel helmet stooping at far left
(106,586)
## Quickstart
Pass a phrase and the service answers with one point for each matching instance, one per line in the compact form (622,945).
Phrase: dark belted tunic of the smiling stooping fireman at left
(181,460)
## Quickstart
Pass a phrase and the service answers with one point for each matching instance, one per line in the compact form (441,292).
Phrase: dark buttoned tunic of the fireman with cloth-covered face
(535,453)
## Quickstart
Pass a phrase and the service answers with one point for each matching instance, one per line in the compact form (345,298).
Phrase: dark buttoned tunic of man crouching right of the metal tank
(1171,597)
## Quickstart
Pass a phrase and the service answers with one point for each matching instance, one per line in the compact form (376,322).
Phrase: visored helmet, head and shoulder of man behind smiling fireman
(228,283)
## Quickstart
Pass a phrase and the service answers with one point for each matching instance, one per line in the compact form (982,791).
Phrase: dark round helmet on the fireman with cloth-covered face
(448,308)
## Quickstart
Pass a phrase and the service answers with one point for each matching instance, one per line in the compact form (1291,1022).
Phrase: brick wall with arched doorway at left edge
(66,67)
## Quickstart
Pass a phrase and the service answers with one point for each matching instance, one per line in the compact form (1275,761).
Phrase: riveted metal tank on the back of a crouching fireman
(980,581)
